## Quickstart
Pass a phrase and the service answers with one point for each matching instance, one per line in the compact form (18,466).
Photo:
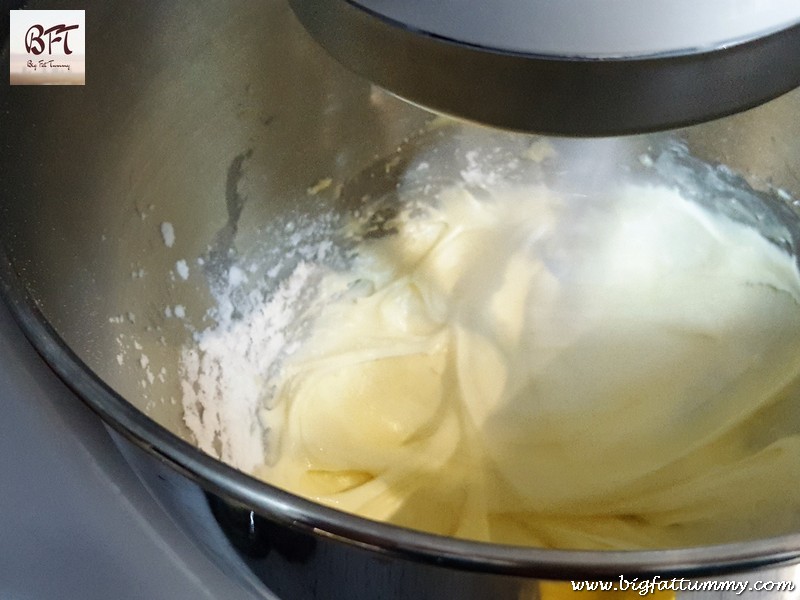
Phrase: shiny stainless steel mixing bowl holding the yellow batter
(217,118)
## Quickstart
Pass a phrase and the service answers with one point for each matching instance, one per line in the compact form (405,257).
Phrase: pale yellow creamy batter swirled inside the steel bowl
(577,373)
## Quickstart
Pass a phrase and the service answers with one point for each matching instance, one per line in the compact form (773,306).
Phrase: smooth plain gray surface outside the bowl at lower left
(75,522)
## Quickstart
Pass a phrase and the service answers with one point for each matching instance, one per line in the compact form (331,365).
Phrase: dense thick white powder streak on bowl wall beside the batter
(224,377)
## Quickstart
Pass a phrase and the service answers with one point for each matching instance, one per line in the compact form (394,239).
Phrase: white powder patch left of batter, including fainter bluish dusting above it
(263,304)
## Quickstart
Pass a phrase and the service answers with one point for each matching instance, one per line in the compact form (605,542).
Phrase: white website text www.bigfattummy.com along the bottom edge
(656,584)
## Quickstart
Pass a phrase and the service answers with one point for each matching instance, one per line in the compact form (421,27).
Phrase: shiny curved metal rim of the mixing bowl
(290,510)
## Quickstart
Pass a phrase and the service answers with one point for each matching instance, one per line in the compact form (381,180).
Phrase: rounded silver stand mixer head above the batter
(571,67)
